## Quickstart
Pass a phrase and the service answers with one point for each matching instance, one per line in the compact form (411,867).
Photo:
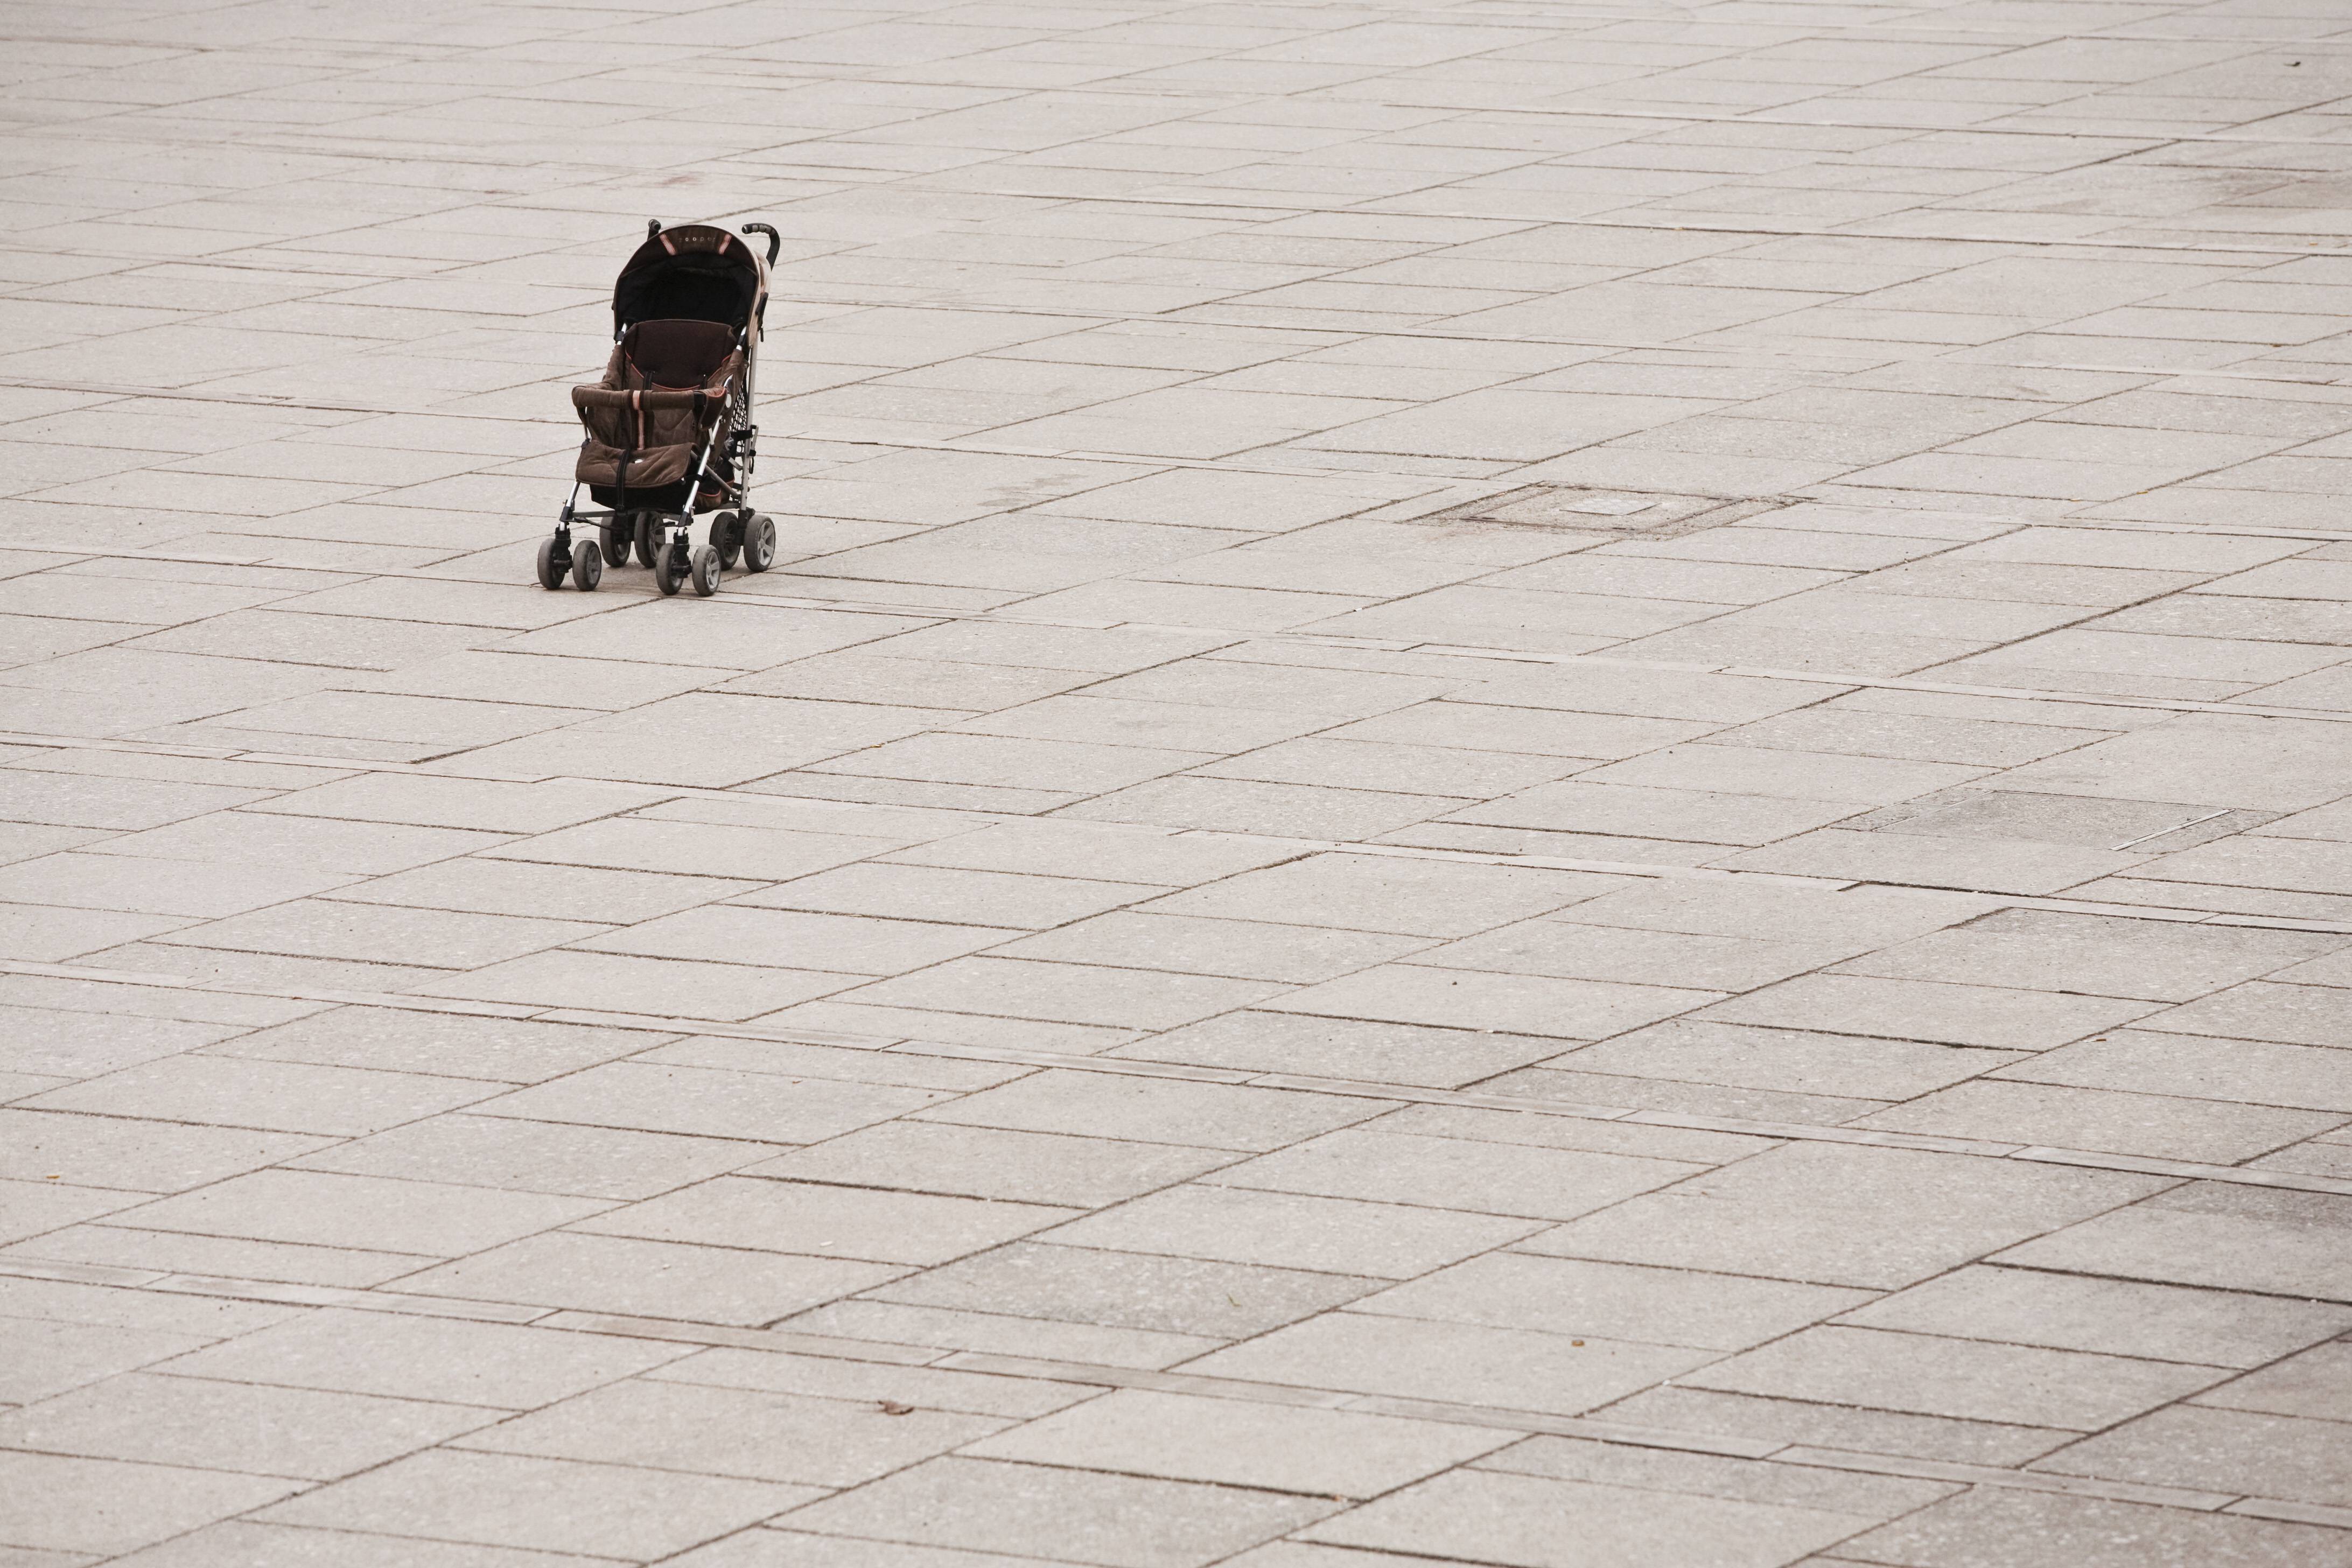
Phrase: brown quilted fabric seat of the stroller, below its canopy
(662,394)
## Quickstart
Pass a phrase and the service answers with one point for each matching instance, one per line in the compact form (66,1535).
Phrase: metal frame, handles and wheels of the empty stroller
(669,540)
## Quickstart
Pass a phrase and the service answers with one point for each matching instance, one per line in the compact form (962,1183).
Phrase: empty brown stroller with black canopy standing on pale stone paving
(671,424)
